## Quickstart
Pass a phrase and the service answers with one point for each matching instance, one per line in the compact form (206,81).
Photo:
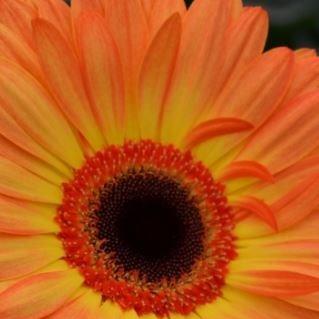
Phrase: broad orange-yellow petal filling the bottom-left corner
(39,295)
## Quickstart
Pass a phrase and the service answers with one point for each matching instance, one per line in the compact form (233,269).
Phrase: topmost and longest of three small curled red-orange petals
(214,128)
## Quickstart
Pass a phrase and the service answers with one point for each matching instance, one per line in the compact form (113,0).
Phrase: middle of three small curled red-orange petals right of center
(246,169)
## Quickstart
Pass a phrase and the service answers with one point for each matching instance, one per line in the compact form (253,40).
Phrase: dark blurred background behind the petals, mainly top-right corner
(293,23)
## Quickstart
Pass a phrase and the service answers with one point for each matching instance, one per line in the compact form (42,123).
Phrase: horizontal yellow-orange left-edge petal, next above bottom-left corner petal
(20,255)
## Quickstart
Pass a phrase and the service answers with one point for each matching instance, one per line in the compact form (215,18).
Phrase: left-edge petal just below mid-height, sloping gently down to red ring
(17,182)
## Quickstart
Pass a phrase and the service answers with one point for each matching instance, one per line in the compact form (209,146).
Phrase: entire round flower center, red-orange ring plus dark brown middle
(148,227)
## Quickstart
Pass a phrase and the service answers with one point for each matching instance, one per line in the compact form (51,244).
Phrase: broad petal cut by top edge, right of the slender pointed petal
(199,61)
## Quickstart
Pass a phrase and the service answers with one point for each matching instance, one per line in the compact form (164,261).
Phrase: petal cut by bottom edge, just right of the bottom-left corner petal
(84,307)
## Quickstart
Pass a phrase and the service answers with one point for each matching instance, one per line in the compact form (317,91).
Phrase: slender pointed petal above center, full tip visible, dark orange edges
(156,74)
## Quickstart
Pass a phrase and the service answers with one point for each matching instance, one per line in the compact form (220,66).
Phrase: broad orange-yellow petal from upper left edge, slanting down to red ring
(33,108)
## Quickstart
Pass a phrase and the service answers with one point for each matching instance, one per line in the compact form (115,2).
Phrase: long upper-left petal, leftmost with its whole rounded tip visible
(63,72)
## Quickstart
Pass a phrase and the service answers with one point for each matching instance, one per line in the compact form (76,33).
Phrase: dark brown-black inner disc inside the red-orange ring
(151,223)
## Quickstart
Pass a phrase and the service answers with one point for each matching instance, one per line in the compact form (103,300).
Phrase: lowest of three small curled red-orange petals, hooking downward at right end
(257,207)
